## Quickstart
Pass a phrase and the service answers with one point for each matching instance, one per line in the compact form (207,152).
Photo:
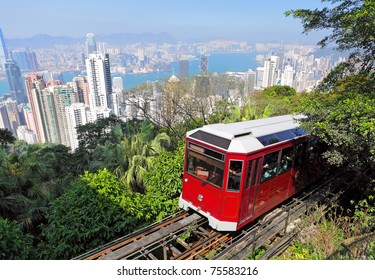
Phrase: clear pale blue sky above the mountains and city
(249,20)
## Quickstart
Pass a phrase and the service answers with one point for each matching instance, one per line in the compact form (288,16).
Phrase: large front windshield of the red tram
(205,167)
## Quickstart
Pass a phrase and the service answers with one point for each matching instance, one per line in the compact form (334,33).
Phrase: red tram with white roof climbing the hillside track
(233,173)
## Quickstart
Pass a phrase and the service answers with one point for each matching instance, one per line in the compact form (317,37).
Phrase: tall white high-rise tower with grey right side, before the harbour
(100,83)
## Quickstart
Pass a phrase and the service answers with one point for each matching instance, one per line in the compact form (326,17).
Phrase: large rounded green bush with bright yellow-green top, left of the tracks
(95,210)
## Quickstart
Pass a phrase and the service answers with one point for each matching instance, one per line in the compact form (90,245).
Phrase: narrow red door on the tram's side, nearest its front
(250,189)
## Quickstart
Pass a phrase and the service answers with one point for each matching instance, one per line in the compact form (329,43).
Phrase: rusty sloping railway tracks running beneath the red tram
(188,236)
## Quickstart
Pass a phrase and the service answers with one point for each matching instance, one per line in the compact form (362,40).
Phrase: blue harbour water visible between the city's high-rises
(217,62)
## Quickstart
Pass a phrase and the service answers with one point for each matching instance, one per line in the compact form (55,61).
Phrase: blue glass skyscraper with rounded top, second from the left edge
(15,81)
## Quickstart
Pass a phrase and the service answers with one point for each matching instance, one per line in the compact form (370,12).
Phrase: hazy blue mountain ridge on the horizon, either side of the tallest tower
(47,41)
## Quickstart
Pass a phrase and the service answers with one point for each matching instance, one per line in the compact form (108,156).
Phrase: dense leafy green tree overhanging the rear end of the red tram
(344,119)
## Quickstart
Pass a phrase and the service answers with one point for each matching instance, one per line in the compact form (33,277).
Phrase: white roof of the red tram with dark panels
(249,136)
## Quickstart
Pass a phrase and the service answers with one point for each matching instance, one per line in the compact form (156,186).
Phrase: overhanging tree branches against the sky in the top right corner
(352,28)
